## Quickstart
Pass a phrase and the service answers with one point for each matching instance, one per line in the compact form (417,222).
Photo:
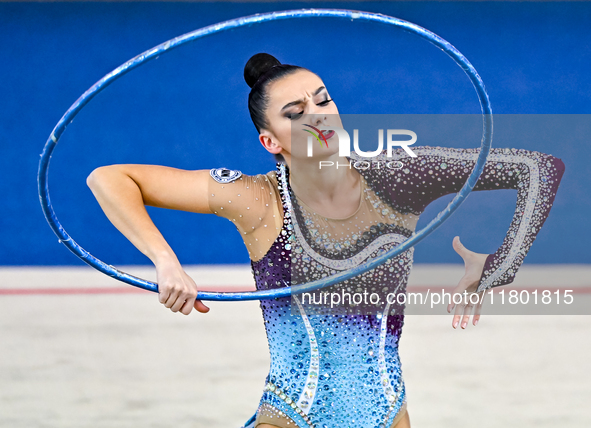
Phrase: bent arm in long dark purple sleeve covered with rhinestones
(437,171)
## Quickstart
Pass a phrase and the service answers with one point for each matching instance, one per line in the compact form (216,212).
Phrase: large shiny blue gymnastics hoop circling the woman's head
(153,53)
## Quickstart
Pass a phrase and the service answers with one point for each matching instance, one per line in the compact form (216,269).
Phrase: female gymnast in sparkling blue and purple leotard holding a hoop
(330,367)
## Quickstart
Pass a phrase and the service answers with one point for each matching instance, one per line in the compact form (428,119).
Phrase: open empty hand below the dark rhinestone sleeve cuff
(474,264)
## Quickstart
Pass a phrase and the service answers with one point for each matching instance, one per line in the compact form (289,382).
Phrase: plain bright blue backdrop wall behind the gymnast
(188,110)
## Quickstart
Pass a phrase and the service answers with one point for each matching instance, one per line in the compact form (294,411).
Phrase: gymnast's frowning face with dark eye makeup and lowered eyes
(296,100)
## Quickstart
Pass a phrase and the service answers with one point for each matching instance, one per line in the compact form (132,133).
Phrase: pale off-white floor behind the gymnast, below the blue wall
(120,359)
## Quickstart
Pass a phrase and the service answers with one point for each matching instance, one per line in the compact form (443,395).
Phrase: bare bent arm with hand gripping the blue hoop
(124,190)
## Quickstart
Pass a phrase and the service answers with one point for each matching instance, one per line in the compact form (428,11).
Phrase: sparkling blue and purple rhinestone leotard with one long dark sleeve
(341,369)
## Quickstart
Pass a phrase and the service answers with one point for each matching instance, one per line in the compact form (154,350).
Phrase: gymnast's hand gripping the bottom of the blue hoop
(177,290)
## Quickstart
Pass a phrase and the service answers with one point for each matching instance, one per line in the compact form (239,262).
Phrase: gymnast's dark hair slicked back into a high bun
(261,70)
